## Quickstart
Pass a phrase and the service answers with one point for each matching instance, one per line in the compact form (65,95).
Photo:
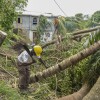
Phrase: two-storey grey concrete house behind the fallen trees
(30,22)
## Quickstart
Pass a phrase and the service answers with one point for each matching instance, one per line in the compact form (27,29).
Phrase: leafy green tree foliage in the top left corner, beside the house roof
(9,11)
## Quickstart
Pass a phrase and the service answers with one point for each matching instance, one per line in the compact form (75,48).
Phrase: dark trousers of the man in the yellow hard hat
(24,76)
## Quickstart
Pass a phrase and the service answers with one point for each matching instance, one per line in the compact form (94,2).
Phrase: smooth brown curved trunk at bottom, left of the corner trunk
(77,95)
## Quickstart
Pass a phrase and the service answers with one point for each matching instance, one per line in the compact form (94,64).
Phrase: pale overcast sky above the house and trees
(69,7)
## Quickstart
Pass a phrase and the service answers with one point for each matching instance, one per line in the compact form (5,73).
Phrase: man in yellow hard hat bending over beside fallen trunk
(25,59)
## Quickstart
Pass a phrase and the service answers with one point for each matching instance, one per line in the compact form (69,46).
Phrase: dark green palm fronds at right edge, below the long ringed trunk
(92,68)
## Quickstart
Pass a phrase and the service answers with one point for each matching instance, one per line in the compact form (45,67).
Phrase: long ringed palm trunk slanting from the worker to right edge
(65,63)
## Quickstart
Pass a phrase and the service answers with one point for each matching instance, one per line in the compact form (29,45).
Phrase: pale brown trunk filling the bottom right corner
(94,93)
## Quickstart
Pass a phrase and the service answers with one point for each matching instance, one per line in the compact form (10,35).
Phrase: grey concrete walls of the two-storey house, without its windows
(27,24)
